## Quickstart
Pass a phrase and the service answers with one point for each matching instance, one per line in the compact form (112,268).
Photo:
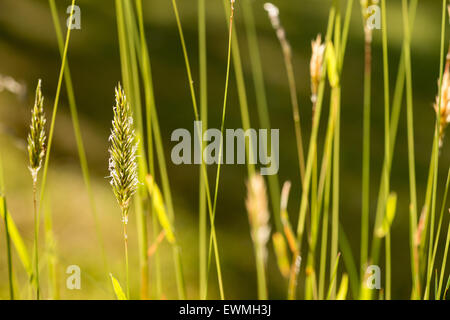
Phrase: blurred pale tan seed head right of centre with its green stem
(258,216)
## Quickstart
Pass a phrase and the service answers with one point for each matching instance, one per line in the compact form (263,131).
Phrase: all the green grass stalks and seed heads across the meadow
(317,250)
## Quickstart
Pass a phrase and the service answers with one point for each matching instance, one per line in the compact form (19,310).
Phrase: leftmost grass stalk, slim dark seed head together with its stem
(36,151)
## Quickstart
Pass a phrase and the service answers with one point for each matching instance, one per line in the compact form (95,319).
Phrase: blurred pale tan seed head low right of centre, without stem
(258,212)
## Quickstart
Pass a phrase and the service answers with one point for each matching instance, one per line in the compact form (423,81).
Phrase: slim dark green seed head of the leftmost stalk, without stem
(36,137)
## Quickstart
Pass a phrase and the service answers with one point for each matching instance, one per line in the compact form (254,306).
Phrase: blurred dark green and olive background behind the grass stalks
(28,51)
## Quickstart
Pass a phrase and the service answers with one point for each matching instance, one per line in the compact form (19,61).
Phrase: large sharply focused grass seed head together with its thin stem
(122,162)
